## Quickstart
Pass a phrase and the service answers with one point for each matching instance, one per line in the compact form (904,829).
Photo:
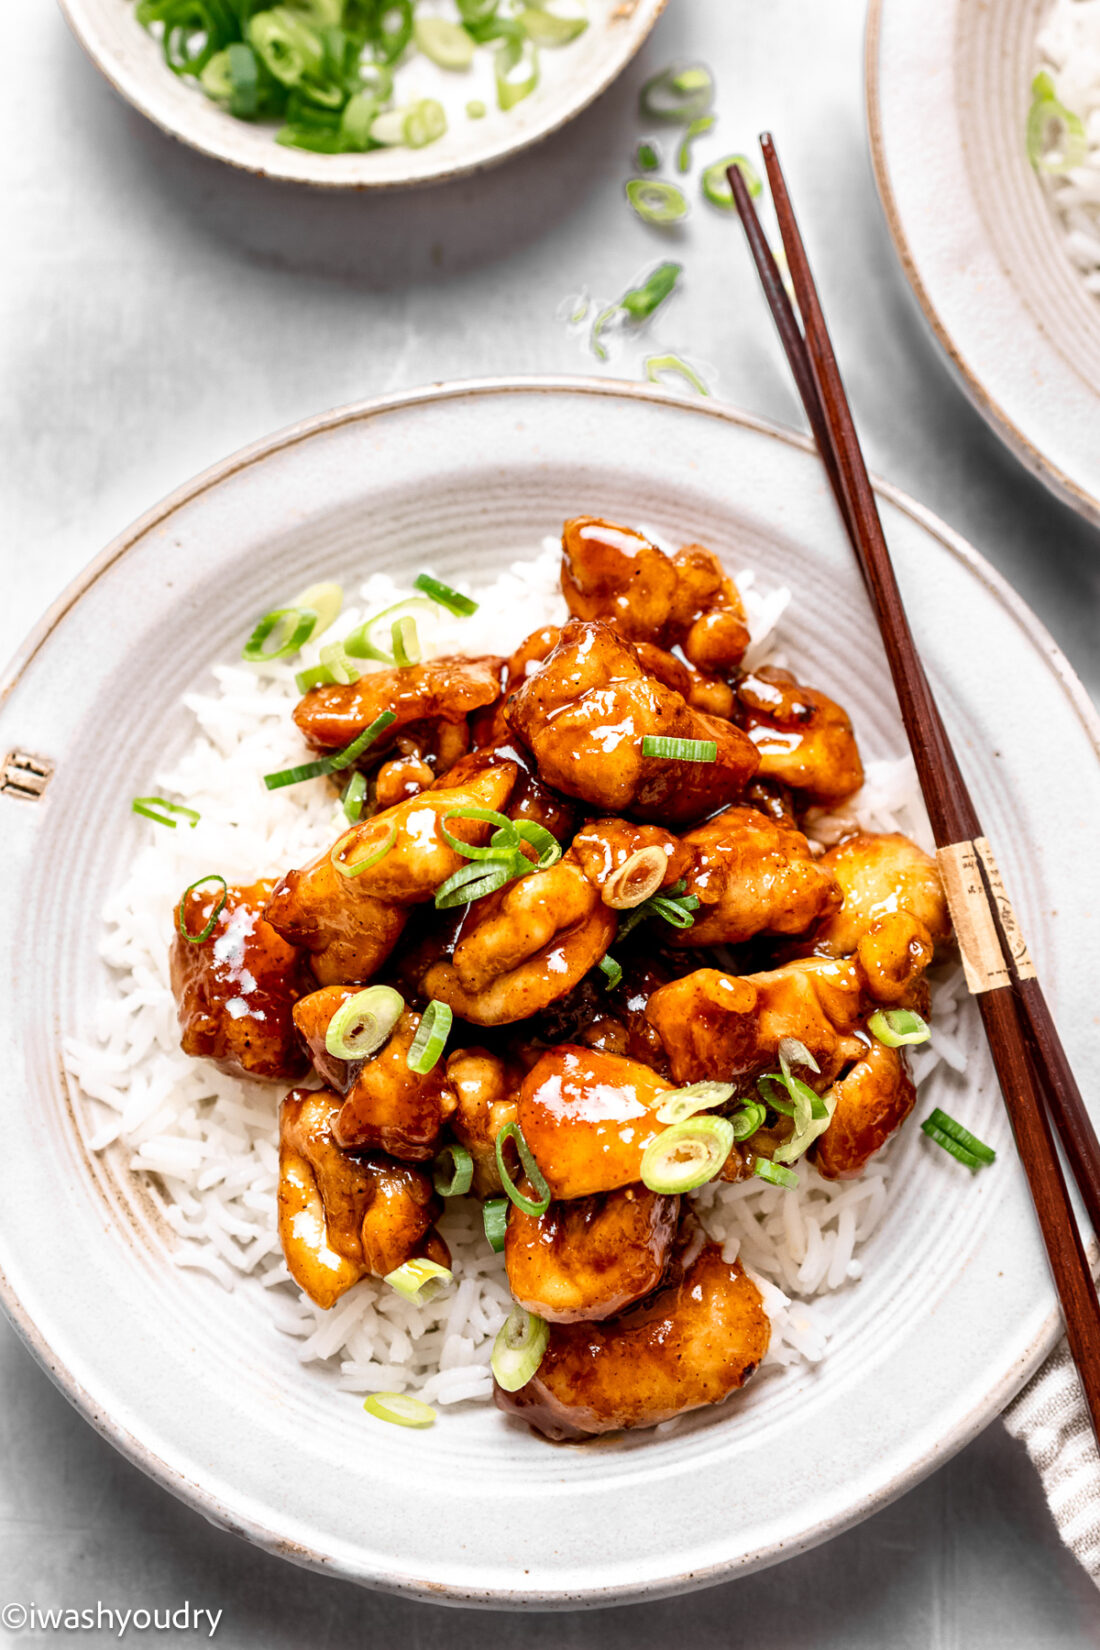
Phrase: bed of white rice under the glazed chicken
(209,1143)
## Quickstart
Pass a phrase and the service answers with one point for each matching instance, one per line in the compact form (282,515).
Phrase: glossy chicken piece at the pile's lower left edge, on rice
(344,1217)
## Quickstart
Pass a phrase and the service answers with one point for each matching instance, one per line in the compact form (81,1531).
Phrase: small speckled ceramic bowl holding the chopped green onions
(573,77)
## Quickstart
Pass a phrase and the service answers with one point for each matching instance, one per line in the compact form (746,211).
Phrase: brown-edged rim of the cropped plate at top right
(1038,463)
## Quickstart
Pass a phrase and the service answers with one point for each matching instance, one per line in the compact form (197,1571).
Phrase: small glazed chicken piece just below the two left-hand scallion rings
(395,1110)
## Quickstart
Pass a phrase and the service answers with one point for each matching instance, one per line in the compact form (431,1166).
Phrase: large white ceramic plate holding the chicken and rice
(956,1308)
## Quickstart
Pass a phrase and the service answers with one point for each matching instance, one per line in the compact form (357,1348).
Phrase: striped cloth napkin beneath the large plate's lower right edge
(1051,1420)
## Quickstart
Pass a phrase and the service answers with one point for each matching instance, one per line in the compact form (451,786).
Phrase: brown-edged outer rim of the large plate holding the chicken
(199,1497)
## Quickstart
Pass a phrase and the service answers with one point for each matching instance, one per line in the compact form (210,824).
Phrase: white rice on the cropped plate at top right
(1069,50)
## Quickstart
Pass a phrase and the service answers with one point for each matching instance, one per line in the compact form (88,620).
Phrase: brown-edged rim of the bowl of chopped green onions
(321,179)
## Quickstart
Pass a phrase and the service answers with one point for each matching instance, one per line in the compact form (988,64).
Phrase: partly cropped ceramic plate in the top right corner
(947,105)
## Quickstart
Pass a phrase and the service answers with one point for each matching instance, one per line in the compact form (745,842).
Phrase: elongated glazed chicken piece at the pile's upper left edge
(441,691)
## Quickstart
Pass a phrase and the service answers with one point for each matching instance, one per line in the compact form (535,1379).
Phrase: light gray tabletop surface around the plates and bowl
(161,311)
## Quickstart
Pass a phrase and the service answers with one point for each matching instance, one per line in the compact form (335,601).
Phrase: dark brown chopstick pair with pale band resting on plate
(1037,1078)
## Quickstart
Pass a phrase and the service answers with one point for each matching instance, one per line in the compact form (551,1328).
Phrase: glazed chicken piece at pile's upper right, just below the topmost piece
(804,740)
